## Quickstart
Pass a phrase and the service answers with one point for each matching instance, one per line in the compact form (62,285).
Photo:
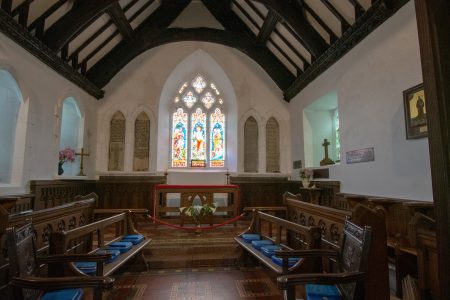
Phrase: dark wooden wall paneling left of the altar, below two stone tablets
(127,191)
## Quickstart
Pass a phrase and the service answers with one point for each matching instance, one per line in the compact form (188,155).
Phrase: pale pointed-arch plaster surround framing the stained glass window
(198,62)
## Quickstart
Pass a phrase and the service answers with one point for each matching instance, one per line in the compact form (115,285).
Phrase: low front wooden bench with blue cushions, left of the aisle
(106,231)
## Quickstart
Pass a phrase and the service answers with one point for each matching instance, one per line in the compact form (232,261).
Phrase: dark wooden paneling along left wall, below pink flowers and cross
(51,193)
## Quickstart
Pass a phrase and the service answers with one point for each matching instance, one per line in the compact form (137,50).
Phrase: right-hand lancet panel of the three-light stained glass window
(217,139)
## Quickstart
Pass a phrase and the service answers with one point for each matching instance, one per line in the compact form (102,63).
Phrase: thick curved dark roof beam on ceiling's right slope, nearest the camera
(295,18)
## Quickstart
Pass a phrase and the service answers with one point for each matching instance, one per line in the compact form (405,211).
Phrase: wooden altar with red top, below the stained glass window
(168,198)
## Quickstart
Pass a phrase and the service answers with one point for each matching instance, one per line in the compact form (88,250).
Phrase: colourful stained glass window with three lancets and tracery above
(198,125)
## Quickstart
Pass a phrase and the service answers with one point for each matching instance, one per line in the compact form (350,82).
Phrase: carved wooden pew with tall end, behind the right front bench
(331,222)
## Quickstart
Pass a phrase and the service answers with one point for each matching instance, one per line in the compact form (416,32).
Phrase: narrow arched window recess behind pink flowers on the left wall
(72,132)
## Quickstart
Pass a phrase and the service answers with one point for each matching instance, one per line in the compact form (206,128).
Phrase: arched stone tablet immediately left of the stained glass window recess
(141,151)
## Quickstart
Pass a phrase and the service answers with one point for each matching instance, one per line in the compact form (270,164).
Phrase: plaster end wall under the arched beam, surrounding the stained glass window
(147,80)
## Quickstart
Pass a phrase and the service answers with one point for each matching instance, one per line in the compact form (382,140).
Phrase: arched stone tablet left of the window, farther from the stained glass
(117,142)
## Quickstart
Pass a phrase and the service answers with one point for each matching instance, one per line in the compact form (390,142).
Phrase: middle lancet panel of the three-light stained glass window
(198,141)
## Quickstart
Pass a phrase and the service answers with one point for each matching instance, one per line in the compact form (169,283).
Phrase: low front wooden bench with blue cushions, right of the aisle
(290,236)
